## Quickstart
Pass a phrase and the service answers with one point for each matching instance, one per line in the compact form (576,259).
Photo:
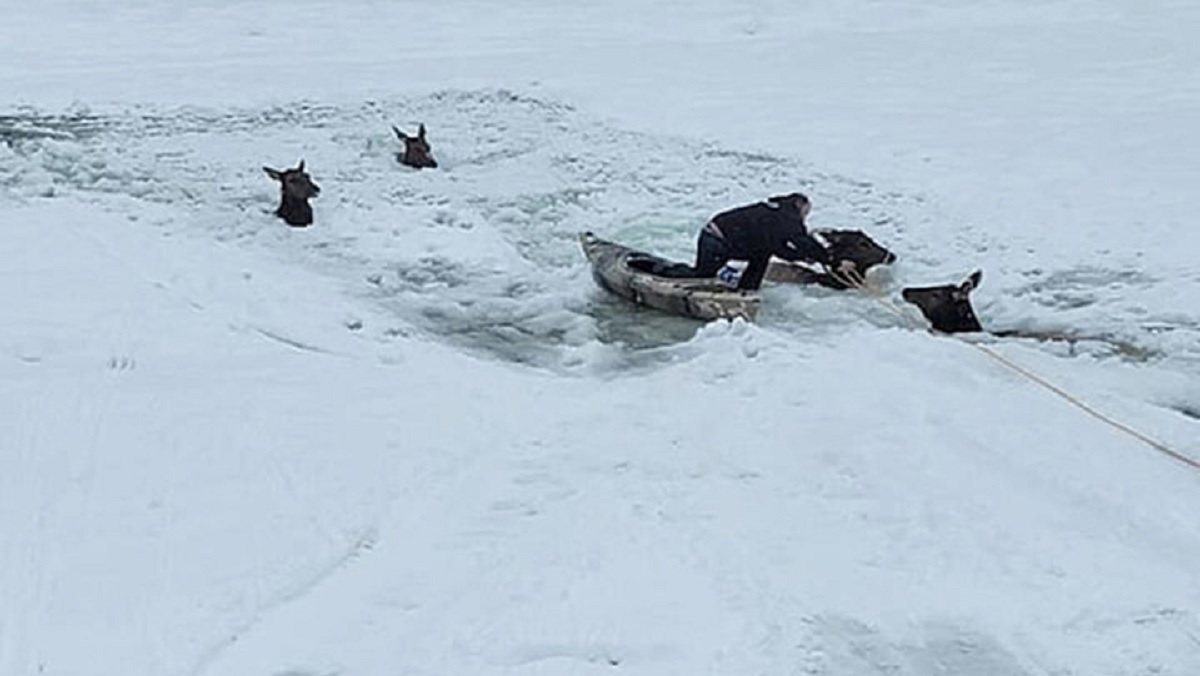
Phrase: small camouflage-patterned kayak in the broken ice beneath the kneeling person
(631,274)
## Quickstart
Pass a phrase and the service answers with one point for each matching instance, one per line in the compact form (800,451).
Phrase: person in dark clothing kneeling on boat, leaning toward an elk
(755,234)
